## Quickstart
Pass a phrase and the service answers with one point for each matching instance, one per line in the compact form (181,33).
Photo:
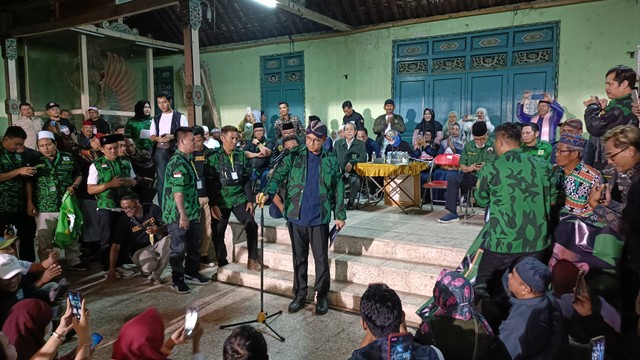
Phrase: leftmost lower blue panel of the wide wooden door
(411,102)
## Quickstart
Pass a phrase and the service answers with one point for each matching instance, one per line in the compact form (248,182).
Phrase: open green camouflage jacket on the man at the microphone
(293,168)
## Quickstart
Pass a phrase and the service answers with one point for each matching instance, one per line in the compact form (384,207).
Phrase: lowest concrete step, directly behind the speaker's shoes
(342,295)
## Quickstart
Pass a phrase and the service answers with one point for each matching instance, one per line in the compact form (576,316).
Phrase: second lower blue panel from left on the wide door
(446,94)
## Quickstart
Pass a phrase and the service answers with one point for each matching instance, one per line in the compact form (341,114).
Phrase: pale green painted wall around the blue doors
(593,37)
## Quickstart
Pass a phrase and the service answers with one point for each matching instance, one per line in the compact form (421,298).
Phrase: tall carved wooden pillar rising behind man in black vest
(193,91)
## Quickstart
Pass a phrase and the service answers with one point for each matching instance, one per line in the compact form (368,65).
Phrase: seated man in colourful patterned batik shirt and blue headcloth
(579,178)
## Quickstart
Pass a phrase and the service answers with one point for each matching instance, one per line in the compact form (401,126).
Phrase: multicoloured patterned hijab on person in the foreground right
(453,297)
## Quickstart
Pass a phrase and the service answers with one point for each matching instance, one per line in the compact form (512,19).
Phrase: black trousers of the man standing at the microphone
(318,238)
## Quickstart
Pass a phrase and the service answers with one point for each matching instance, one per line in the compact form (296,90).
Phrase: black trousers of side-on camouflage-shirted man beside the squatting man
(184,255)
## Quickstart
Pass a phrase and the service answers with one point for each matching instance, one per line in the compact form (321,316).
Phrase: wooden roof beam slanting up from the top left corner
(112,12)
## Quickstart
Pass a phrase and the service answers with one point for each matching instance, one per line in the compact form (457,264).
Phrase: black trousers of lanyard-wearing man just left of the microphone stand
(219,227)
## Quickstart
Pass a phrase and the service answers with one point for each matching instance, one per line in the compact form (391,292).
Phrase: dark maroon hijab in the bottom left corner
(26,325)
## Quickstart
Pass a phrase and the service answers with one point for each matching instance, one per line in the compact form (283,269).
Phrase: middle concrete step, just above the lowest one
(409,277)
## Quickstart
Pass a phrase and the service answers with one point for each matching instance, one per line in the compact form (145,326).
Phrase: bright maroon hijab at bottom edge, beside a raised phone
(141,338)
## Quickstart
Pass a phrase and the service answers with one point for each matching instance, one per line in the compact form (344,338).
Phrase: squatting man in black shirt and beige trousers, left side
(143,235)
